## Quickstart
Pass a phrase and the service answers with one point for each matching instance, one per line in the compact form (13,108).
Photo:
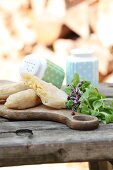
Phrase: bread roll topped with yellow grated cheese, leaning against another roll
(50,95)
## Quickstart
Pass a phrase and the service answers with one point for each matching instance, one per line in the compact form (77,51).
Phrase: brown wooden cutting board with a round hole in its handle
(78,121)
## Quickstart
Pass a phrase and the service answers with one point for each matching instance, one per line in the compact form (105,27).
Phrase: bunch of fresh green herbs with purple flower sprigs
(84,98)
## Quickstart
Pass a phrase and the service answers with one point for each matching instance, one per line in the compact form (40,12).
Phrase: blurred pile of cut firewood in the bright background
(53,28)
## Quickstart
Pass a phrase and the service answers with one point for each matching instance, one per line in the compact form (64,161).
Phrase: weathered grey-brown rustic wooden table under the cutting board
(39,142)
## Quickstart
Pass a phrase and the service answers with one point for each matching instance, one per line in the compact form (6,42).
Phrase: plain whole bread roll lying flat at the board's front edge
(23,100)
